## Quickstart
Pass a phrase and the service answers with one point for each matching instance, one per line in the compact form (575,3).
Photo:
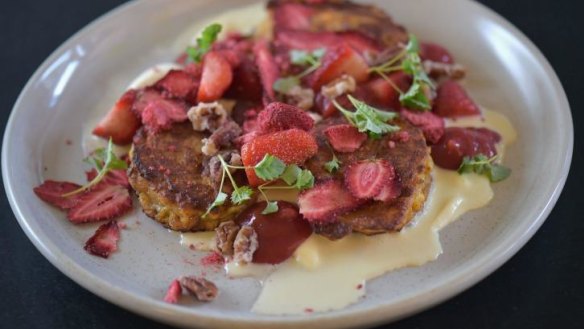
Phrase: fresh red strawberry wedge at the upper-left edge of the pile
(119,124)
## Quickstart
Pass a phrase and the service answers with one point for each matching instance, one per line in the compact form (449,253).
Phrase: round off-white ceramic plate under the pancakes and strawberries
(507,74)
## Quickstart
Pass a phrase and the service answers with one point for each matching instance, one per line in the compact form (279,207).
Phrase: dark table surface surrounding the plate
(540,287)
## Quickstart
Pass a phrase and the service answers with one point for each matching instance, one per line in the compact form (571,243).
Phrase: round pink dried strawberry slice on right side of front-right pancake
(367,179)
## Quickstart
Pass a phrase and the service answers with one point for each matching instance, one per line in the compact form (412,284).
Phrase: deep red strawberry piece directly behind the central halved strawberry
(279,116)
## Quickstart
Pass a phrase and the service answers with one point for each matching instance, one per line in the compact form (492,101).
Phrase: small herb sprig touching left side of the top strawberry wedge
(301,58)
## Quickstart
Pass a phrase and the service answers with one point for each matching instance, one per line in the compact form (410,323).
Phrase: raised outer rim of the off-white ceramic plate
(457,282)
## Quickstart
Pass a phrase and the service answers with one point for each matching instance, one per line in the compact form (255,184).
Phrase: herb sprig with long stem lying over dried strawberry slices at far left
(104,160)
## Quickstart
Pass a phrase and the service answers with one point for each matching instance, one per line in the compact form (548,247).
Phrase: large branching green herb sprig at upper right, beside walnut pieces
(408,61)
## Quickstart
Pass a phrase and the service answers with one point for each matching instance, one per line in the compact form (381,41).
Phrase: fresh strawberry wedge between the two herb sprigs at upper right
(336,62)
